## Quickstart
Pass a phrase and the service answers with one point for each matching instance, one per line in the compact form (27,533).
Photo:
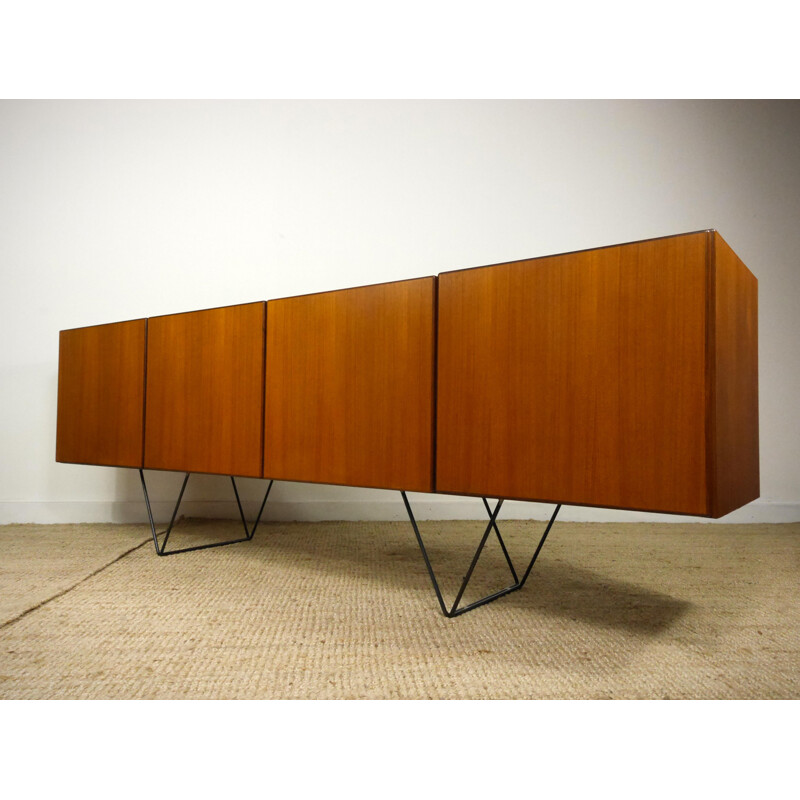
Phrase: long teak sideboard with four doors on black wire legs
(622,377)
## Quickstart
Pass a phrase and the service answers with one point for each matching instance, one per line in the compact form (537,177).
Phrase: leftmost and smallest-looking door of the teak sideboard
(101,394)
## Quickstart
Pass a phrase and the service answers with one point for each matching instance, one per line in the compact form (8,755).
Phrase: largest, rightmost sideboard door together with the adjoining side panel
(624,376)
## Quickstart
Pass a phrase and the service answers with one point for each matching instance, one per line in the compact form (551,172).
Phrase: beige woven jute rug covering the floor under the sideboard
(346,610)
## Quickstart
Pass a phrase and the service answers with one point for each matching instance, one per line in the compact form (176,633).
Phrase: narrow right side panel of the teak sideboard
(736,473)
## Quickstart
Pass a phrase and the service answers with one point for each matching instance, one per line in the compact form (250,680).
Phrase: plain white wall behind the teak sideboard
(117,210)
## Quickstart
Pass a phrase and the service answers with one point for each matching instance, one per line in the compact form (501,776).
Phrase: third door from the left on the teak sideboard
(349,386)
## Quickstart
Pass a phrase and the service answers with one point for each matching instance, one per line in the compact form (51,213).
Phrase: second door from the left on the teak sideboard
(205,384)
